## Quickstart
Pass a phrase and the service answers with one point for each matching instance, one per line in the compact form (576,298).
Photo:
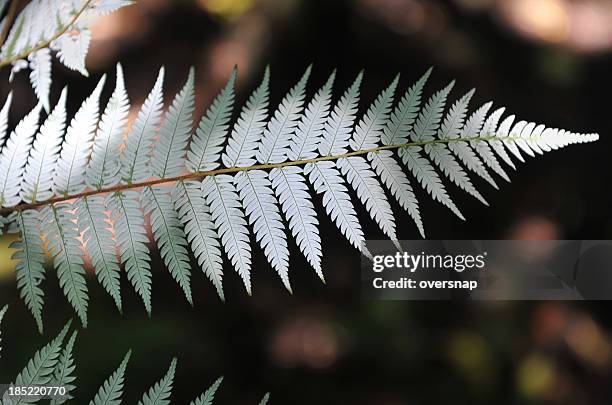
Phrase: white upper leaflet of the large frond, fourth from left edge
(69,176)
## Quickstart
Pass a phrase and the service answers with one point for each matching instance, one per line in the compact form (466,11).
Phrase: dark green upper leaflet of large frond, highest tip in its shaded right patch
(400,123)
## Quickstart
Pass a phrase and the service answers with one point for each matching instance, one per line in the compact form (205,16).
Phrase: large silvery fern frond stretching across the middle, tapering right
(83,184)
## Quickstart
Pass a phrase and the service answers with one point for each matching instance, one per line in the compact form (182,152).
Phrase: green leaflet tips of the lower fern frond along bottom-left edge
(54,365)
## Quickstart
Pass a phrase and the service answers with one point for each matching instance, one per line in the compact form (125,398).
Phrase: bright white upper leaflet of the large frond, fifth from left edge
(103,168)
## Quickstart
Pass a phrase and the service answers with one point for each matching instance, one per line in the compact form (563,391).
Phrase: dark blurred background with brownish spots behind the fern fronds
(548,61)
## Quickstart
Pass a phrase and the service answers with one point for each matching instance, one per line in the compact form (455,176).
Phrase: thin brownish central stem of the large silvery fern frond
(230,170)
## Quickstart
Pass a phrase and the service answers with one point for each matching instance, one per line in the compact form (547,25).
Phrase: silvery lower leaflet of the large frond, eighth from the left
(262,210)
